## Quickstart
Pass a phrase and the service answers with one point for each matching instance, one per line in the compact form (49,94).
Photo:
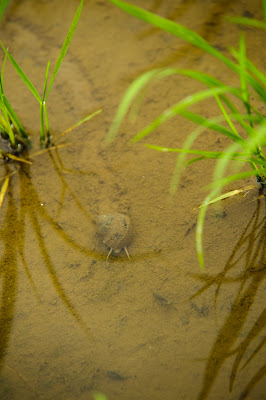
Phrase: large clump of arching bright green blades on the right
(245,124)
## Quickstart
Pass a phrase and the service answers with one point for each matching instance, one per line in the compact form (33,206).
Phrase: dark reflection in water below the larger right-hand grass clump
(251,250)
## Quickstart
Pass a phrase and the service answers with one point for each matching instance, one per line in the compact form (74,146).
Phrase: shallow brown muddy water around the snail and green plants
(155,327)
